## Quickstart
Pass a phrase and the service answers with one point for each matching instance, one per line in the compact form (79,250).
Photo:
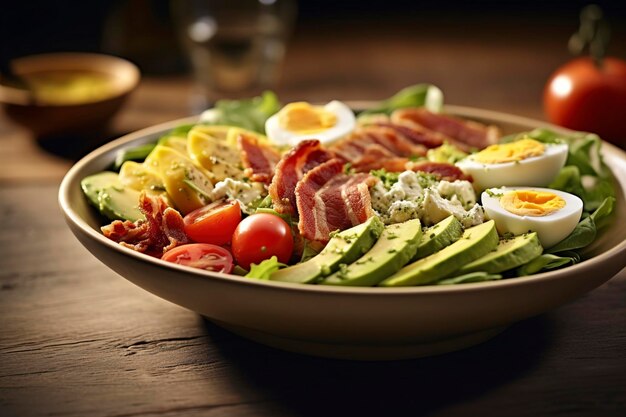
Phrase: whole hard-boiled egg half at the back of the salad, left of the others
(301,120)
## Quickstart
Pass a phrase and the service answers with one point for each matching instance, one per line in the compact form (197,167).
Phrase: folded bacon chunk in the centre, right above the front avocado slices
(329,200)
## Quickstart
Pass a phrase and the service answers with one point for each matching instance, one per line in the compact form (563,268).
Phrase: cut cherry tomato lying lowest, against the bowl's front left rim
(201,255)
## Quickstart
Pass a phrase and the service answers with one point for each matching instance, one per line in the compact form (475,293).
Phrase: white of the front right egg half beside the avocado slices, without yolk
(551,228)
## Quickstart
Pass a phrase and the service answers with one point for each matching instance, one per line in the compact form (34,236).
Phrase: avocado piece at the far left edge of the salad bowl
(115,201)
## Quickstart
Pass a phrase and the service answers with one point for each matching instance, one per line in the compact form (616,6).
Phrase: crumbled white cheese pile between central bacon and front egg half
(416,196)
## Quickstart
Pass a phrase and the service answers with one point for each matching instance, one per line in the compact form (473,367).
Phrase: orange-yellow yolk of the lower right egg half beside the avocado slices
(531,203)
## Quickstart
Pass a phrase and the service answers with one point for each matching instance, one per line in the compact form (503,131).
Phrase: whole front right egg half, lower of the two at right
(553,214)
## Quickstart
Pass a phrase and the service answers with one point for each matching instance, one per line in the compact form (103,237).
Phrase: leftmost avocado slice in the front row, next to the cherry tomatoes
(344,247)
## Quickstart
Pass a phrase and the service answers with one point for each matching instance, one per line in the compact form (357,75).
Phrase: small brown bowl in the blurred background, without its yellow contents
(46,118)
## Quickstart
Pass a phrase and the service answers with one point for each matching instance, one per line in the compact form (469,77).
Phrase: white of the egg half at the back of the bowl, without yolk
(346,122)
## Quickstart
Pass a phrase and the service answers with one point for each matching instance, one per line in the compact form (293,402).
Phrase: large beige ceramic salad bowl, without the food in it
(351,323)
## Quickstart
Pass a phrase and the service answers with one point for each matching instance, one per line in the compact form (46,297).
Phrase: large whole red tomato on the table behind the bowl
(582,96)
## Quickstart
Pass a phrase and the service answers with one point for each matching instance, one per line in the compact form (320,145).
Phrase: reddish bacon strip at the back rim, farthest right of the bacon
(464,133)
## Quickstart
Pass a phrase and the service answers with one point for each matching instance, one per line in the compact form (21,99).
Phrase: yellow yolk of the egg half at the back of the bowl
(301,117)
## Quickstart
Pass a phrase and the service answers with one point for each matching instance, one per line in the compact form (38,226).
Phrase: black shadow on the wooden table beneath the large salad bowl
(310,386)
